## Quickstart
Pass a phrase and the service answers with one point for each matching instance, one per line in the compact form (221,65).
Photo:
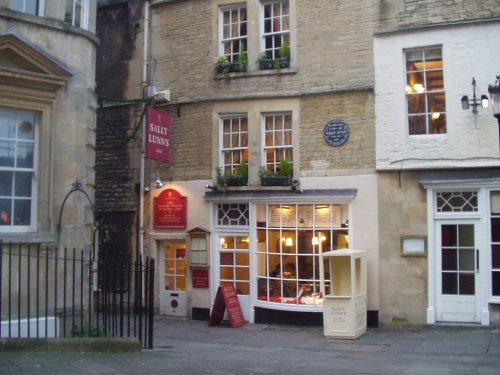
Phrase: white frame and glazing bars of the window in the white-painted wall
(420,89)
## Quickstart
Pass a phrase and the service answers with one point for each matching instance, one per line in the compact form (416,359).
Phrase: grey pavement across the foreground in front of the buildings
(184,346)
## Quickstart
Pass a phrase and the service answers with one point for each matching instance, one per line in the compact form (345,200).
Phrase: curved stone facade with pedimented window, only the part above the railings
(47,86)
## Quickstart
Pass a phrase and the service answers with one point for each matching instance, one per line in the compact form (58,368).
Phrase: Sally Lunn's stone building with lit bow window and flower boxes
(329,78)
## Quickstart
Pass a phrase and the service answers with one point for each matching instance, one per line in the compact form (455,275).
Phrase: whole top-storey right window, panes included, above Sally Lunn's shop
(275,27)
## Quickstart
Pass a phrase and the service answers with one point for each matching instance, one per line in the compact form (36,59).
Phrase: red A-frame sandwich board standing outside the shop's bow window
(226,297)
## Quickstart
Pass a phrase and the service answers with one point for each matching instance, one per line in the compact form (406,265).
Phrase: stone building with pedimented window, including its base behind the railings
(47,146)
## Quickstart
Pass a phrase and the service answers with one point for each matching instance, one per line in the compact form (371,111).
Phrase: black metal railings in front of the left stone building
(49,293)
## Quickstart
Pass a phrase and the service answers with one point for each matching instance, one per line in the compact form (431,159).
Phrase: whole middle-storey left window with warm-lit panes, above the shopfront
(234,143)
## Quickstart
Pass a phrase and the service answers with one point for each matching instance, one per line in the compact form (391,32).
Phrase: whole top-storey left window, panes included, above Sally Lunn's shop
(233,33)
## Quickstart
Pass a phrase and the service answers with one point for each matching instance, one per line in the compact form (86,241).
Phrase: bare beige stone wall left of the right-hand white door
(403,279)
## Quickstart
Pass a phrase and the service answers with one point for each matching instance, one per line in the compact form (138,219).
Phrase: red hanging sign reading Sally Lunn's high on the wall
(158,135)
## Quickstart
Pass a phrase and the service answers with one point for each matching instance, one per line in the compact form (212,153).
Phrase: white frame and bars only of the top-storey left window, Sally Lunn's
(241,40)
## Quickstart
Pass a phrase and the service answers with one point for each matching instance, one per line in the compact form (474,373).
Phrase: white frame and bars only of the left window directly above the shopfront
(233,166)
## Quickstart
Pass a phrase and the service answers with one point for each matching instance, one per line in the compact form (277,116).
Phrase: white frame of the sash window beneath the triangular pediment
(34,189)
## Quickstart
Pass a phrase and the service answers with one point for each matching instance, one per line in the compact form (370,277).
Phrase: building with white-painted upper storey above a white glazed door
(437,187)
